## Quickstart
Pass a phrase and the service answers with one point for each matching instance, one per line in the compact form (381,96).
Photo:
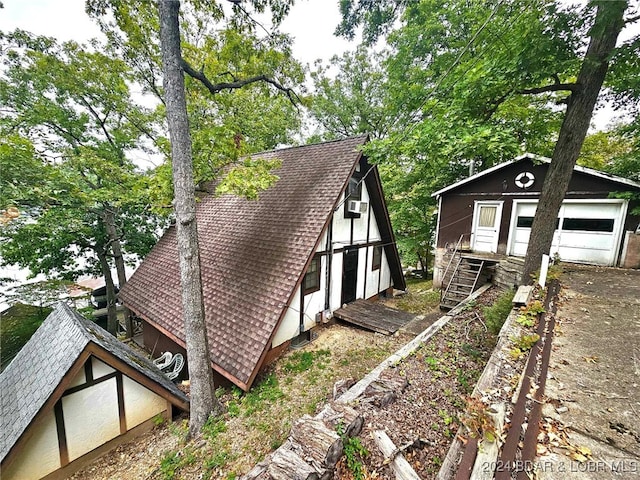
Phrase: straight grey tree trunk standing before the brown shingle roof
(203,399)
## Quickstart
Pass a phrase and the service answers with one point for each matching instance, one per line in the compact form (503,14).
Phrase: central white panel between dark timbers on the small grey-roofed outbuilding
(91,417)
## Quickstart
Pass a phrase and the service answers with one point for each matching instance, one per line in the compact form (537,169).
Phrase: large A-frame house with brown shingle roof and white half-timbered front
(274,268)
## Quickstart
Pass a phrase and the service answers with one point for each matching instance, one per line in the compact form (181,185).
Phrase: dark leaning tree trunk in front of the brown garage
(607,25)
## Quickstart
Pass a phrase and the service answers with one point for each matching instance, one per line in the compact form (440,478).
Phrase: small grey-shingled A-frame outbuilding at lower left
(72,394)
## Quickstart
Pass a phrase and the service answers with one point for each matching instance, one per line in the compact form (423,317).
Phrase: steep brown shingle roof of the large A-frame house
(253,254)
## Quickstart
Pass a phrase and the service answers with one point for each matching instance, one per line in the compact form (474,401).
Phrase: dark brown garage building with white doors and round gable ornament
(492,212)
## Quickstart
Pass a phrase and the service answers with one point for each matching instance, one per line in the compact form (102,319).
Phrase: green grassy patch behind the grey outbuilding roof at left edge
(17,325)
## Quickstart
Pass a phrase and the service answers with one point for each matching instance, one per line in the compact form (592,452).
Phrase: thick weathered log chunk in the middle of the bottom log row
(322,447)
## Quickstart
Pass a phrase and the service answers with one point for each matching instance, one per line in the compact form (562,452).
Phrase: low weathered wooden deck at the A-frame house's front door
(373,316)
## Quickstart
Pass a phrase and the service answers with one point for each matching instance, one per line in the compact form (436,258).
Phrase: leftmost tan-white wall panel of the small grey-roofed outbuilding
(39,456)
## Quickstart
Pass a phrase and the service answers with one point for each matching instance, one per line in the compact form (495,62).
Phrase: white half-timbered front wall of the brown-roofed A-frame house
(341,234)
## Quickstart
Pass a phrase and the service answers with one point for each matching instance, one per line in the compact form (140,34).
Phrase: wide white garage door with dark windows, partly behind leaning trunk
(586,232)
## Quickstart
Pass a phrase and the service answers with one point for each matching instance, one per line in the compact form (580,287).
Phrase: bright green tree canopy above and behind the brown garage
(466,85)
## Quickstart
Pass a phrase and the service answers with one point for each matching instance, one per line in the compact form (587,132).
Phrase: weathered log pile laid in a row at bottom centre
(313,448)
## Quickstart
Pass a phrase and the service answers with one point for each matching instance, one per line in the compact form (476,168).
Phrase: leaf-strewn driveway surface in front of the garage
(593,390)
